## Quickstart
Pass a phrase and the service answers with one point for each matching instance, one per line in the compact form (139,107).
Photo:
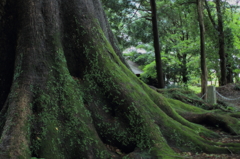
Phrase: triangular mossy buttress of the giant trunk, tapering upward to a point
(62,116)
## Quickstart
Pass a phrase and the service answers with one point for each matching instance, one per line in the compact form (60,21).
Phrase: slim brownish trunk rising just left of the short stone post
(202,50)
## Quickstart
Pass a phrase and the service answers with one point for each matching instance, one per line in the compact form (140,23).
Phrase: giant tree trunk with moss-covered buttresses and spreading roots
(65,94)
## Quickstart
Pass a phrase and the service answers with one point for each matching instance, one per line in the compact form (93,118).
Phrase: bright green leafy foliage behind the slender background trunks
(180,40)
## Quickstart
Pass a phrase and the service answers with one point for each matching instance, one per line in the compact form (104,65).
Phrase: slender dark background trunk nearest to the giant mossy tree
(157,45)
